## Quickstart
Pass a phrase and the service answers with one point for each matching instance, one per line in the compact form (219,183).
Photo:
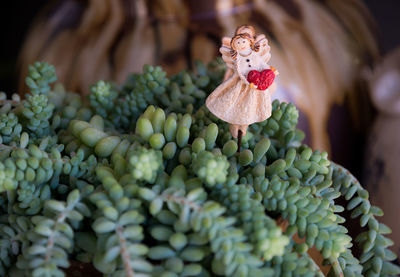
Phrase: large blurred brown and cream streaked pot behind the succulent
(318,46)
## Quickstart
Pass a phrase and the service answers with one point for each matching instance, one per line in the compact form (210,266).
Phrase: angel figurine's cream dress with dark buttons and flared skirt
(234,101)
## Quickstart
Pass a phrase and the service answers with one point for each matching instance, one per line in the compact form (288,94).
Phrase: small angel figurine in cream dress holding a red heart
(245,95)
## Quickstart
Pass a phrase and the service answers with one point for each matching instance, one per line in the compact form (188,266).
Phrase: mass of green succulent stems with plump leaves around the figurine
(142,180)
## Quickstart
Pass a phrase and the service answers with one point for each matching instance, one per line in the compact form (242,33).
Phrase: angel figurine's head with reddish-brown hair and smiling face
(244,39)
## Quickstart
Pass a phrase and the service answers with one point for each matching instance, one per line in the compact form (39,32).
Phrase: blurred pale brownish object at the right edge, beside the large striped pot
(382,156)
